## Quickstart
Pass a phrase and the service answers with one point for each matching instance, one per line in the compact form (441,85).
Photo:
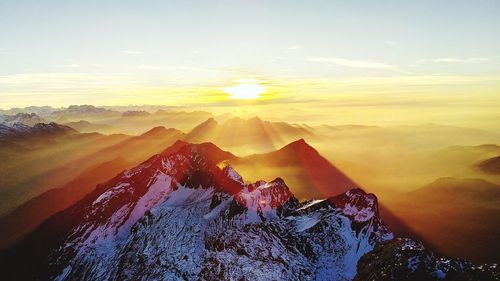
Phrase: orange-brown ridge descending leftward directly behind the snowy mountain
(76,178)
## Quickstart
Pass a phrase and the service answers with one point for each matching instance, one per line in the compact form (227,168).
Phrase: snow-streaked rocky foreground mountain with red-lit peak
(179,216)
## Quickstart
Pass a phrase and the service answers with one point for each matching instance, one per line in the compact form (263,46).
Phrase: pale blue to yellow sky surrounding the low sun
(313,54)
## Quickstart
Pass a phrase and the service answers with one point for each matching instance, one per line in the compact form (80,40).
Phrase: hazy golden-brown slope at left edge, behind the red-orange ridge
(32,165)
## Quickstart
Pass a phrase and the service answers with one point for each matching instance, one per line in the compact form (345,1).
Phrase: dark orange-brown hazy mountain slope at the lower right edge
(458,217)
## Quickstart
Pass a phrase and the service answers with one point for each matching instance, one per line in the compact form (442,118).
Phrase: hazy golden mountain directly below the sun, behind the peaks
(243,135)
